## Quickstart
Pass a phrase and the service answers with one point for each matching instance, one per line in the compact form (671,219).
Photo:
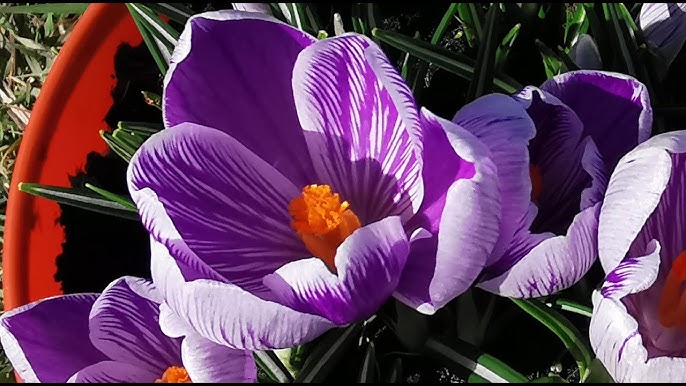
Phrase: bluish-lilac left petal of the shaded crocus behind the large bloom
(504,126)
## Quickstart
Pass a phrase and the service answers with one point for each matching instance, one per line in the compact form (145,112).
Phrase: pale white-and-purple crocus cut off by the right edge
(638,327)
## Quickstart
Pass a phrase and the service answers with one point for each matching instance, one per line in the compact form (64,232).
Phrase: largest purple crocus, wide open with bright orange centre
(292,179)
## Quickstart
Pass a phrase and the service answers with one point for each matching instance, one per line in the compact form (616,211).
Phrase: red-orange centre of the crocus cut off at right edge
(672,307)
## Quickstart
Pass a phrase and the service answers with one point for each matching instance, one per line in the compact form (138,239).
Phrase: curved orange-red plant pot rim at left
(62,130)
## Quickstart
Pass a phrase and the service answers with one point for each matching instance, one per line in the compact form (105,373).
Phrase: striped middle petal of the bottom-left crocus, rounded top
(124,324)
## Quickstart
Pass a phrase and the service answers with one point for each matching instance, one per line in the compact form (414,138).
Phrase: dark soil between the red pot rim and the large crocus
(98,248)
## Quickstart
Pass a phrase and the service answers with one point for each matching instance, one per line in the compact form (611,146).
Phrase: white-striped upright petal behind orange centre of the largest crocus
(361,126)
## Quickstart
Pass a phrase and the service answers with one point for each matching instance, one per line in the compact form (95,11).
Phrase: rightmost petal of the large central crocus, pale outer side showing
(443,265)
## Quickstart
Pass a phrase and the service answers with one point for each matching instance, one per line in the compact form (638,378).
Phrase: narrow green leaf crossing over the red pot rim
(80,199)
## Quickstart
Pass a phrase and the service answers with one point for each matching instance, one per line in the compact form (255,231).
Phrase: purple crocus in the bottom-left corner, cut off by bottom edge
(114,337)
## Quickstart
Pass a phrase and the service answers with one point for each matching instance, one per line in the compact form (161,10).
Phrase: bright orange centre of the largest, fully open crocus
(322,221)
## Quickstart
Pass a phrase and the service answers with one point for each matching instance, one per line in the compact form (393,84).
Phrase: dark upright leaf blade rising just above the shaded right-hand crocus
(482,82)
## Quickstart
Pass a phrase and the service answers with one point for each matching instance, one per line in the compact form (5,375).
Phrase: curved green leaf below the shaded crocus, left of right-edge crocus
(570,336)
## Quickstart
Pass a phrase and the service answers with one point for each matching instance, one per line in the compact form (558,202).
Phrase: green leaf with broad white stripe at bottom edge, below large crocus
(483,367)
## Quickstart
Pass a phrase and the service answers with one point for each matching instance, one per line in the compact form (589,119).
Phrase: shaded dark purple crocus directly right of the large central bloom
(585,121)
